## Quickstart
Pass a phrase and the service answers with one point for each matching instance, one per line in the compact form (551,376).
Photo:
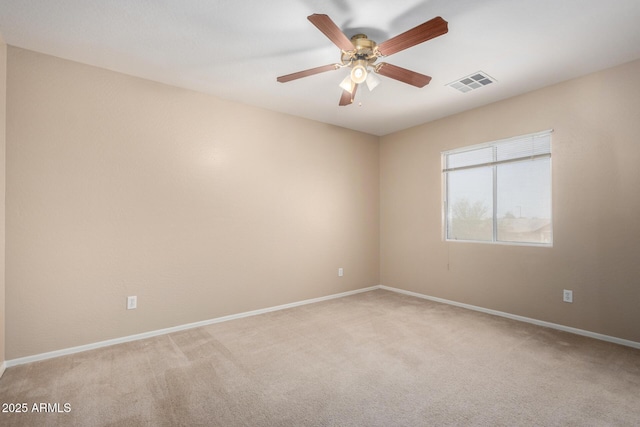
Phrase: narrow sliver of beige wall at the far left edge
(3,103)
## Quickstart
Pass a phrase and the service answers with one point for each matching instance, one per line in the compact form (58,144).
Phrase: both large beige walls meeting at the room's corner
(201,207)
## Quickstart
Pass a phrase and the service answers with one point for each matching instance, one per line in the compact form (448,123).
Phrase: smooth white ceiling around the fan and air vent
(236,49)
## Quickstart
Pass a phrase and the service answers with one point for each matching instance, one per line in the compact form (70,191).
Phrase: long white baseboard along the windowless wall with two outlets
(129,338)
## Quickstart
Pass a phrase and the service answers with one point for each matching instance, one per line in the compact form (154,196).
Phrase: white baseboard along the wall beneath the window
(569,329)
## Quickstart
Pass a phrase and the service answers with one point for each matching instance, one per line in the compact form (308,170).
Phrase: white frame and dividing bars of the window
(494,165)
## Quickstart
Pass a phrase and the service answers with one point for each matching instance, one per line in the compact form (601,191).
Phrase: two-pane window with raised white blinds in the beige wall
(499,192)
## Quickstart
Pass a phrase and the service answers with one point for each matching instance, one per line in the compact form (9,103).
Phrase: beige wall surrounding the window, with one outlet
(596,206)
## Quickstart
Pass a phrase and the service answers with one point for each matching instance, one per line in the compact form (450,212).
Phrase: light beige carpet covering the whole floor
(372,359)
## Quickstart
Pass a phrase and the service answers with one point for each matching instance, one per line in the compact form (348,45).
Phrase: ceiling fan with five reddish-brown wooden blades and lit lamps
(360,54)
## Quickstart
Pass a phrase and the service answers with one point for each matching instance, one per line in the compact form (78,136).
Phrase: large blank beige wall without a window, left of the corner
(200,207)
